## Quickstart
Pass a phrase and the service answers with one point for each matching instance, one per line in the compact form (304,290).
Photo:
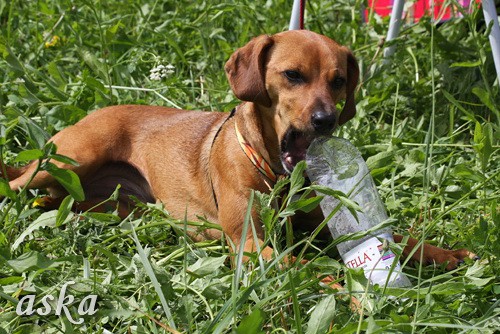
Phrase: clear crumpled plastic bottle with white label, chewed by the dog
(335,163)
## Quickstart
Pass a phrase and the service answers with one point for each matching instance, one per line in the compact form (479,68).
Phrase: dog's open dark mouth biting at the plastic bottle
(294,146)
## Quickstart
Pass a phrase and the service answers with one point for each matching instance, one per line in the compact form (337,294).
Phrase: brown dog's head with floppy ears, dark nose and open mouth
(296,78)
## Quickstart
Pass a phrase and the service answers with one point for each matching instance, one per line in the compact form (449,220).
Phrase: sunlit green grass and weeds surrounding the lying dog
(428,123)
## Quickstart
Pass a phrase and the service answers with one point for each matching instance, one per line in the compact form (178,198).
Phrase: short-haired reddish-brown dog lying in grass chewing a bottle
(206,163)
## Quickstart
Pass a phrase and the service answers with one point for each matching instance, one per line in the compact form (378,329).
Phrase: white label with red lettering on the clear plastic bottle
(375,259)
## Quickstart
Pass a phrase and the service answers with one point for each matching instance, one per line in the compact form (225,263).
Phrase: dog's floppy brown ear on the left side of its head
(246,71)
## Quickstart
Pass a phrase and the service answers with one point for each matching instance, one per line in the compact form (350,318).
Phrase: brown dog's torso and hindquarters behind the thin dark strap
(120,145)
